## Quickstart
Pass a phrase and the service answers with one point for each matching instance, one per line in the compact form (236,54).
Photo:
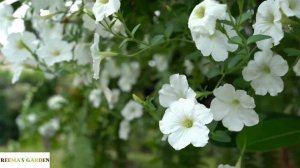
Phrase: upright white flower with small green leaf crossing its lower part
(268,22)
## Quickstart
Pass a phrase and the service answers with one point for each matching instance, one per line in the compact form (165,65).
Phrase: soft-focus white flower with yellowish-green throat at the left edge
(16,48)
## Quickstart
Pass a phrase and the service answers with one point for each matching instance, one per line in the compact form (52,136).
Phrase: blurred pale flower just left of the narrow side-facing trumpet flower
(82,53)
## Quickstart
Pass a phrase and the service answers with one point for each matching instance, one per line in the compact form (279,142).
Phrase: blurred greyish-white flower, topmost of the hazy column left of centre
(129,75)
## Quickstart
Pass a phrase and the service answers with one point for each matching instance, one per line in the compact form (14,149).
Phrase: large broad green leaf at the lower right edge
(270,134)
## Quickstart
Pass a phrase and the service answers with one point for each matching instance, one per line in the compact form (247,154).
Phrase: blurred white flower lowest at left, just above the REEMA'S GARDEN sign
(49,128)
